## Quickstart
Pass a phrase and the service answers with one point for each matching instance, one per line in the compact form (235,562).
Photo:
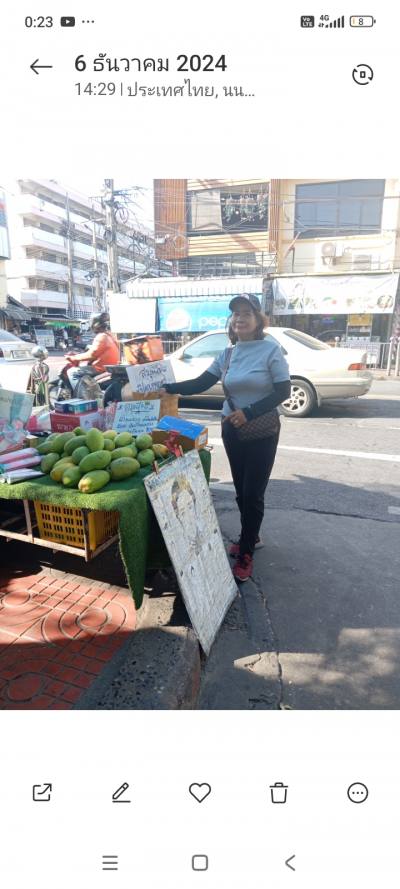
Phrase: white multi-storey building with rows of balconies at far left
(55,267)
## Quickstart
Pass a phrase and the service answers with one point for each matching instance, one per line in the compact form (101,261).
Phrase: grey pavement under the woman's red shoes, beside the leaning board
(318,626)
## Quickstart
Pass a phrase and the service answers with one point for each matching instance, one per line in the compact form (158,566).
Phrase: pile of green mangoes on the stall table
(90,460)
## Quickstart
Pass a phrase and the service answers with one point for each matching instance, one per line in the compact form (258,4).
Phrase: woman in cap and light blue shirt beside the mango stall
(255,377)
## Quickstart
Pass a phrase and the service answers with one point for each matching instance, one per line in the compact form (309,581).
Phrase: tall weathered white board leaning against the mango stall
(182,503)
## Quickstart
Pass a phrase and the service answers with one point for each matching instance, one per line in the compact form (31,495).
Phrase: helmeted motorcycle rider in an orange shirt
(103,350)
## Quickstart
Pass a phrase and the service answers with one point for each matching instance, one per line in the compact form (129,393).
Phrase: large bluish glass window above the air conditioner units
(351,207)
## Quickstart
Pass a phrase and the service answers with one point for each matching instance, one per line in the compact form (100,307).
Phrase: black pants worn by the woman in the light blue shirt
(251,465)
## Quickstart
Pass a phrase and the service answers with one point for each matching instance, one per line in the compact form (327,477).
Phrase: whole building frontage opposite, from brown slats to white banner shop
(331,247)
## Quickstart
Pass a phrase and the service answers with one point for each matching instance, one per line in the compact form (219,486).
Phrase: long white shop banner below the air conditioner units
(335,294)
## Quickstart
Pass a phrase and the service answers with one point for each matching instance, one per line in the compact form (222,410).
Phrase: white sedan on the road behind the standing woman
(318,372)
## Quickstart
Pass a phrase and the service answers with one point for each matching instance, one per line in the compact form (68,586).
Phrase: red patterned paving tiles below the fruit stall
(56,636)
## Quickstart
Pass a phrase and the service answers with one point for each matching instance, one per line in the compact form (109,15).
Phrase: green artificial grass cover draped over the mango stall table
(140,540)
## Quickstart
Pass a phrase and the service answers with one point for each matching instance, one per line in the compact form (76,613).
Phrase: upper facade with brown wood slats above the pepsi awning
(216,227)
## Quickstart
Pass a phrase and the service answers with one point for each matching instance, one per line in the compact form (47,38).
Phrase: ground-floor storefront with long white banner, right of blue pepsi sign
(337,306)
